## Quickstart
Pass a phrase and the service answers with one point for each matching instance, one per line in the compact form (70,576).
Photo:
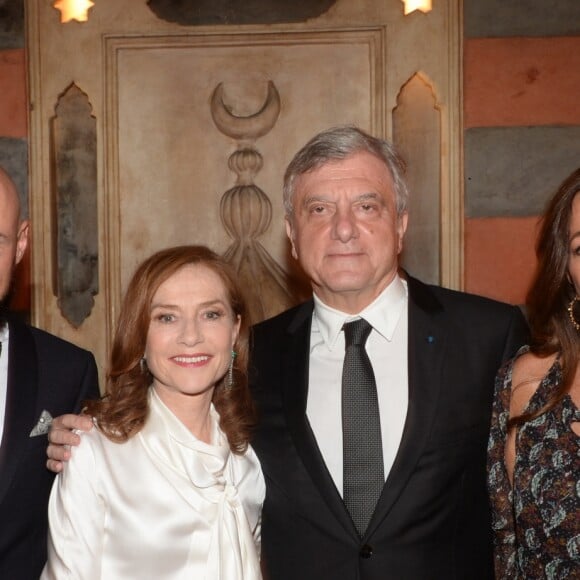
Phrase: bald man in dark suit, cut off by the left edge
(40,376)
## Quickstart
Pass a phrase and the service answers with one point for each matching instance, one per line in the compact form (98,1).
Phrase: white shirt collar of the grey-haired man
(383,314)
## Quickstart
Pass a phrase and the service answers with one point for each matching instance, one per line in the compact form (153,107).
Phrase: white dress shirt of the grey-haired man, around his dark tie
(387,350)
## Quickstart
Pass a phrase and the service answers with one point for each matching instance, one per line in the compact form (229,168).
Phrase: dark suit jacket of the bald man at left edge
(44,373)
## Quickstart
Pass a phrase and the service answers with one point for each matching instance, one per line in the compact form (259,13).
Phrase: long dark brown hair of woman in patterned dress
(552,291)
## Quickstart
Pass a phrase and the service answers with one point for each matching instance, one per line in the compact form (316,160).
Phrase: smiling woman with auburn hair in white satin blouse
(167,485)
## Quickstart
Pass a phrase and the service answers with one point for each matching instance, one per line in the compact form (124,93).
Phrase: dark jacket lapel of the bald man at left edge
(21,396)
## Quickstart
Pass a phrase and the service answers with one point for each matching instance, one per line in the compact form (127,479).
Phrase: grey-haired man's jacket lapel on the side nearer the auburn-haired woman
(295,393)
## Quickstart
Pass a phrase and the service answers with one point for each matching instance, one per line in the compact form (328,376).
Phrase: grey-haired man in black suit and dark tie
(374,396)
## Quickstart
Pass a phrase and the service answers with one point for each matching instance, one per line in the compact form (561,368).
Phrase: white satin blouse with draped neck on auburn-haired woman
(162,505)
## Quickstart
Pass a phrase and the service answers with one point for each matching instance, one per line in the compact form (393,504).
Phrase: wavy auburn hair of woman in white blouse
(123,410)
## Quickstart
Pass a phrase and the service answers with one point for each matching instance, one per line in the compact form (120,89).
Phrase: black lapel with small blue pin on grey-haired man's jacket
(426,350)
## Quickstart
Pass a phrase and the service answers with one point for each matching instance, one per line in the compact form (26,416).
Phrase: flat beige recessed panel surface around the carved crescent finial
(168,190)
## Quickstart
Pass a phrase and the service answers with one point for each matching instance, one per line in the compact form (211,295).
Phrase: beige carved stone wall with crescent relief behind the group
(163,166)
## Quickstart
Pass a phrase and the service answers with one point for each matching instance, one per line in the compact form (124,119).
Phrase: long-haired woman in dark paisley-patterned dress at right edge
(534,447)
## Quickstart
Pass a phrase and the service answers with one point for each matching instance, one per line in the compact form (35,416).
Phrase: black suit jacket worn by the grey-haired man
(432,520)
